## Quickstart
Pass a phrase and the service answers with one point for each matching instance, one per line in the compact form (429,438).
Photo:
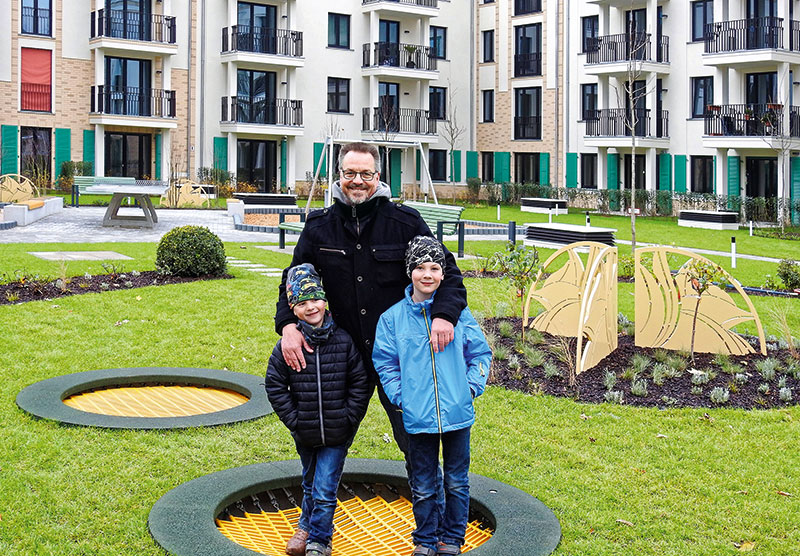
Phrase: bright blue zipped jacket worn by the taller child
(434,390)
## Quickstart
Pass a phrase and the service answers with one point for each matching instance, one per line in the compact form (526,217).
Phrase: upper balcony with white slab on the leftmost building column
(130,31)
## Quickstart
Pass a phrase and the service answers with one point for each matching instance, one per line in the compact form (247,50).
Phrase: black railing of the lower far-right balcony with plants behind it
(748,120)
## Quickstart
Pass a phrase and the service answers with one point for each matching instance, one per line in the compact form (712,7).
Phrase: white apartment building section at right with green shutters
(712,110)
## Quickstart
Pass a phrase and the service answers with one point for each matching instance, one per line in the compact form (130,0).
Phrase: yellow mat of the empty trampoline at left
(156,401)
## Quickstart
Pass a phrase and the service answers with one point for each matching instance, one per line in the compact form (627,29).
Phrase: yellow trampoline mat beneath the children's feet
(372,527)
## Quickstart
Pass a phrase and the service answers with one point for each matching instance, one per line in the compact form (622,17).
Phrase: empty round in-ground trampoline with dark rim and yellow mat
(148,398)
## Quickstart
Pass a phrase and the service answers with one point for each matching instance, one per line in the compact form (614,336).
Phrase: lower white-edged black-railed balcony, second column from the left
(278,116)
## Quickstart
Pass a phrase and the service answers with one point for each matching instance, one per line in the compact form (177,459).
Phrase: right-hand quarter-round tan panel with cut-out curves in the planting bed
(666,304)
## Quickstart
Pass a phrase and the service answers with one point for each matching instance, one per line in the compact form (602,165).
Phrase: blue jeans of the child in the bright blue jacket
(423,460)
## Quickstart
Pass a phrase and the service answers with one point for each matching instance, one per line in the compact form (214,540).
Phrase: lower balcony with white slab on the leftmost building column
(132,106)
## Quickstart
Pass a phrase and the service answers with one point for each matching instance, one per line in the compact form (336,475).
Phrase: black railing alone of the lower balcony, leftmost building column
(133,101)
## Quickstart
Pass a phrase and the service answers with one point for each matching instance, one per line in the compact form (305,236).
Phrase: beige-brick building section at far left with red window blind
(102,82)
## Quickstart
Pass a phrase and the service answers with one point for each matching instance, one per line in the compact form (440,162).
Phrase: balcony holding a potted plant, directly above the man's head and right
(399,60)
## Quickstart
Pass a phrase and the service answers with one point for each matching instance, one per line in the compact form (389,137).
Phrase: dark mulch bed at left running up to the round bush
(35,289)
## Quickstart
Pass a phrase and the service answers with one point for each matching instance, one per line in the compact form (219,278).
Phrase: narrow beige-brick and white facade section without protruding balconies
(519,92)
